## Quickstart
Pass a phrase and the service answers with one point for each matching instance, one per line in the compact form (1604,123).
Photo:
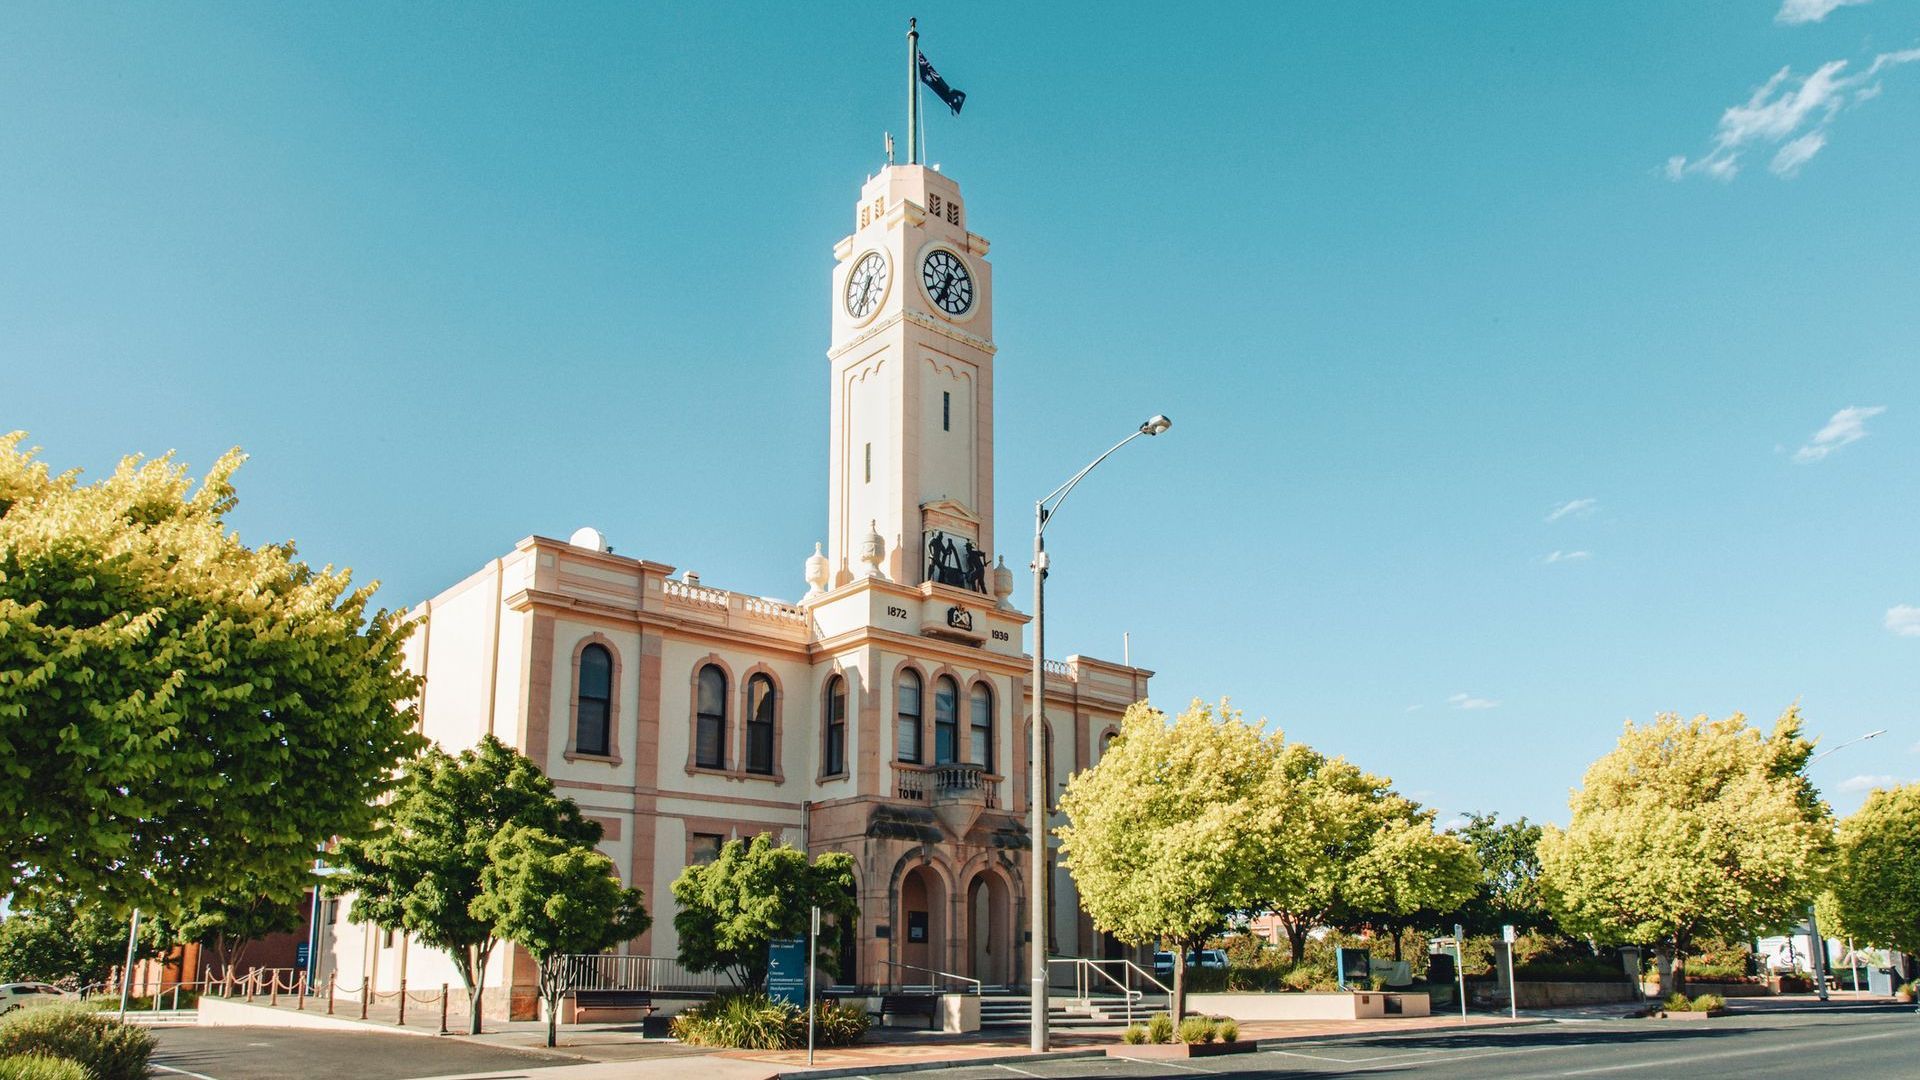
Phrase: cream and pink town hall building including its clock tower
(884,714)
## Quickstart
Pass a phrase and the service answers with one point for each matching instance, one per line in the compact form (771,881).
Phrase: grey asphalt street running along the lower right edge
(1817,1046)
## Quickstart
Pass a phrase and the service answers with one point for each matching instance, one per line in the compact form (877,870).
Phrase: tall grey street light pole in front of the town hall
(1038,885)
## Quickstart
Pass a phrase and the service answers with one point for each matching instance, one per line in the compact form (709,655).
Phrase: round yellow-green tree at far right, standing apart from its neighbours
(1691,829)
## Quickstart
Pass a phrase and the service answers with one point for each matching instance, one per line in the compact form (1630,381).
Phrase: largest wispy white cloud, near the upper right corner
(1788,112)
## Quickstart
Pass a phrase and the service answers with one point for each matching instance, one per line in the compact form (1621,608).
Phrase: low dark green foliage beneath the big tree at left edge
(68,941)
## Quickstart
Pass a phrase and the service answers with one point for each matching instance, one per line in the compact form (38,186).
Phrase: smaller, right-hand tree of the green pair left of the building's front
(554,900)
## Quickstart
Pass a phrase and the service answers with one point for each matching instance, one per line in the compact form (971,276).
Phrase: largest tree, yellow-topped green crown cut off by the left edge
(178,710)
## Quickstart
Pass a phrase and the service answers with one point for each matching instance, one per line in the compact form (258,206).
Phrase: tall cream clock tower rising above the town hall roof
(913,387)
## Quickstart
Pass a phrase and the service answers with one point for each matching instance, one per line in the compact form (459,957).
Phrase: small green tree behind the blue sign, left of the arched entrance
(732,910)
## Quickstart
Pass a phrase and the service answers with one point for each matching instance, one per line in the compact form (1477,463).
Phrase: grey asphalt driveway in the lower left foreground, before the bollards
(293,1054)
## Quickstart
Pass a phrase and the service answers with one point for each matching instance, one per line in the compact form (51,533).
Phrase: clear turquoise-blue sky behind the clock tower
(1408,278)
